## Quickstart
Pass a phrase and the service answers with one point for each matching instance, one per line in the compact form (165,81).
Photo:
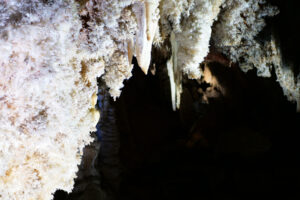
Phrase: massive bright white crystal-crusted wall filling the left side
(46,89)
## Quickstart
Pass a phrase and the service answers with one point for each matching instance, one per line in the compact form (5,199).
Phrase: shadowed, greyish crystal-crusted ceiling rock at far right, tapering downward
(236,34)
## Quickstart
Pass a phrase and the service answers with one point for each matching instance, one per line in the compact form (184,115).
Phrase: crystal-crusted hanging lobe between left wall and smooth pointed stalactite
(110,25)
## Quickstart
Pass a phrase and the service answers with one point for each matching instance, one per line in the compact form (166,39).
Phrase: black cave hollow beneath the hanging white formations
(229,140)
